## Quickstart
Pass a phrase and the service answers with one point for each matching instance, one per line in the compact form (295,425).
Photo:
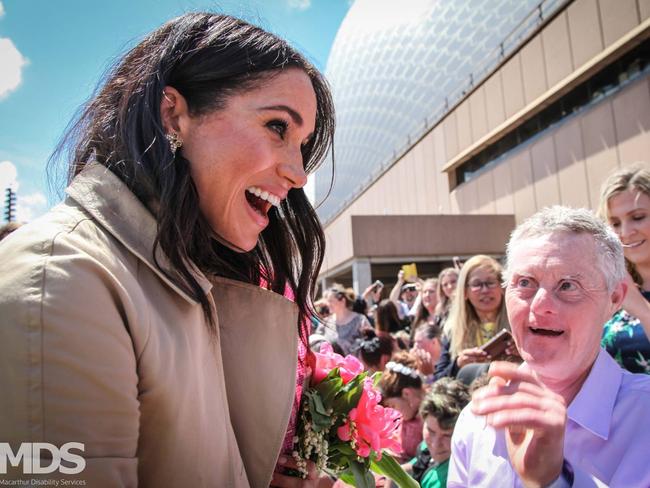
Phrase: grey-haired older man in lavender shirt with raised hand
(569,415)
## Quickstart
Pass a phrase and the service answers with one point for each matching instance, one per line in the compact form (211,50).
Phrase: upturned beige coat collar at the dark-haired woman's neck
(108,200)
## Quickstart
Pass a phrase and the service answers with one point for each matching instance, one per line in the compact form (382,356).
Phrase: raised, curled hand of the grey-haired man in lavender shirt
(534,419)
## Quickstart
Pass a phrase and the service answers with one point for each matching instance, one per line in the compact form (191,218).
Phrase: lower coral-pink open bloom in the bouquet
(371,426)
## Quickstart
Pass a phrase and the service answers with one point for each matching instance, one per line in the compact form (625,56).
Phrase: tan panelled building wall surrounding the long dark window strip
(565,164)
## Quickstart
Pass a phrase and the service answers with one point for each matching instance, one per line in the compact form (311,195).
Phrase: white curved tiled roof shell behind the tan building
(391,68)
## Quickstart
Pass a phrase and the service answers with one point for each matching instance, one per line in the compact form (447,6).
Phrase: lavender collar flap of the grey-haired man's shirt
(593,406)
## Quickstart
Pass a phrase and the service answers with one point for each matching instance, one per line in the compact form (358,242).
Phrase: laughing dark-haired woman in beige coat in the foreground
(133,317)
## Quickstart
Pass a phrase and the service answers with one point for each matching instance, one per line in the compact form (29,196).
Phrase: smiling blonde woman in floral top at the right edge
(625,205)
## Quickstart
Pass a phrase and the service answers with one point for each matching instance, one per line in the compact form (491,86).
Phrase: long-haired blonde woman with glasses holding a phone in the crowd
(477,314)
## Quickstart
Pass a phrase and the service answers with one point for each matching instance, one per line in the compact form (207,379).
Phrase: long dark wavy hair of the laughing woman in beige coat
(207,58)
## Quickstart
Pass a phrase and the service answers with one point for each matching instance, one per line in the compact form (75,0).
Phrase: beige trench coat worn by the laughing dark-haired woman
(98,346)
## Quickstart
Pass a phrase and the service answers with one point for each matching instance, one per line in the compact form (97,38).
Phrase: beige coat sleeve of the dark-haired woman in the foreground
(68,368)
